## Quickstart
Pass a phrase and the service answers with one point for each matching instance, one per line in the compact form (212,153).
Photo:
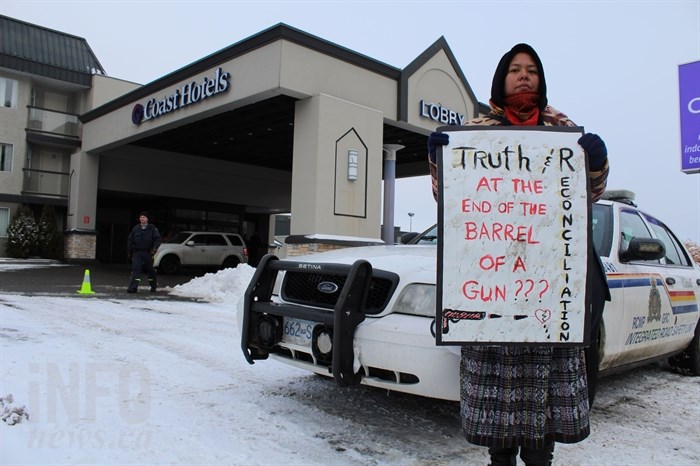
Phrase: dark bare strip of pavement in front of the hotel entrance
(61,279)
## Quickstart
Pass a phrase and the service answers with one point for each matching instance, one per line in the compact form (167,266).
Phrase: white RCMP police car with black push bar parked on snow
(366,315)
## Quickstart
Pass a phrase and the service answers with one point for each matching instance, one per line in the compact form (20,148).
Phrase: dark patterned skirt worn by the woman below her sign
(523,395)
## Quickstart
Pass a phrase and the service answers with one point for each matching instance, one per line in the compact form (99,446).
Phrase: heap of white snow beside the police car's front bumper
(225,286)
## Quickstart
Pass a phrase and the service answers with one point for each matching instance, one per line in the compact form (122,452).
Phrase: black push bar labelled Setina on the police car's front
(334,331)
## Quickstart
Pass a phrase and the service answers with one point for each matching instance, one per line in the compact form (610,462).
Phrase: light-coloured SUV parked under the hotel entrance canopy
(200,249)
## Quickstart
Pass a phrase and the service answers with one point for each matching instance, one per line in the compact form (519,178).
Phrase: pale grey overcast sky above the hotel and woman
(612,66)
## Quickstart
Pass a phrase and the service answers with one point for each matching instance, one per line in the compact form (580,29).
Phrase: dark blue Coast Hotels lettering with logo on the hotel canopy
(190,93)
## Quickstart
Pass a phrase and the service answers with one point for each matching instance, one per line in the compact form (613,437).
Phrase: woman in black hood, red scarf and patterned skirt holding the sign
(528,397)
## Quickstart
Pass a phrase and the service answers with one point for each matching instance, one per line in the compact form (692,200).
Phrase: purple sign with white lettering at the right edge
(689,89)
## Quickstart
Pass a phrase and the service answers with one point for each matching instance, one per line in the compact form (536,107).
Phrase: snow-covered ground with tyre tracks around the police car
(89,380)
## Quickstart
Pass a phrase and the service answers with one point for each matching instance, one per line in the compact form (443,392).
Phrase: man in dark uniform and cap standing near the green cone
(143,242)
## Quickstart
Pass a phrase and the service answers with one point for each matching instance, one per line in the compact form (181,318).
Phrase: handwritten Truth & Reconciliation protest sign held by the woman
(513,237)
